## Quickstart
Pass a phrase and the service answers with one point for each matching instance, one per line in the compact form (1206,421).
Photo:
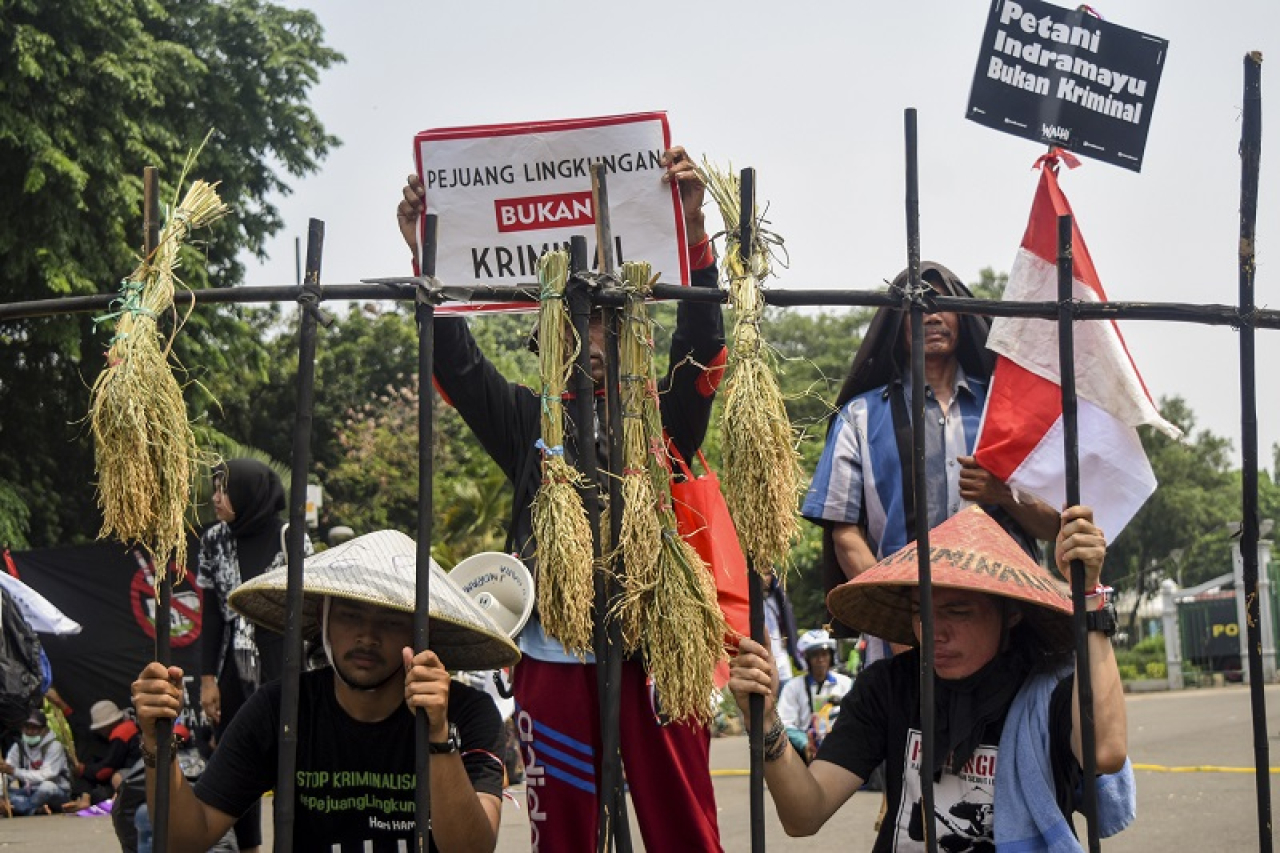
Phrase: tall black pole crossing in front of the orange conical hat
(920,485)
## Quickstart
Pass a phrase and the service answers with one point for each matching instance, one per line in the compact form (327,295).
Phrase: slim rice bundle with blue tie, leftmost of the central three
(561,527)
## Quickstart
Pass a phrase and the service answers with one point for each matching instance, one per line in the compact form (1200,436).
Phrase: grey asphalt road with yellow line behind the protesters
(1194,752)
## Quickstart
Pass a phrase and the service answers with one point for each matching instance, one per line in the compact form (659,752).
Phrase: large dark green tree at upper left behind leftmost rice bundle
(93,92)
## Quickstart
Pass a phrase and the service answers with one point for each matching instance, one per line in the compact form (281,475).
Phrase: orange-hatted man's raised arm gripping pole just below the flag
(1081,540)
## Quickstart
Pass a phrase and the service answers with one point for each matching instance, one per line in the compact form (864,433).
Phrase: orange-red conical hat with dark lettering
(968,551)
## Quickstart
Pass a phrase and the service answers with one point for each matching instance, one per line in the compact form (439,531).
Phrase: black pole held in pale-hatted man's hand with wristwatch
(424,312)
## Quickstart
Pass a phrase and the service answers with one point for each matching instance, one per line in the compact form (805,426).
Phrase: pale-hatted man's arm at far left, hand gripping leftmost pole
(194,825)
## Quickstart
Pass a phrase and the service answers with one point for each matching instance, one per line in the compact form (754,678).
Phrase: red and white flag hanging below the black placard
(1021,440)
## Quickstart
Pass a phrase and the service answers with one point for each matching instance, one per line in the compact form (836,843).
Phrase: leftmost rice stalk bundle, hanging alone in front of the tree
(145,451)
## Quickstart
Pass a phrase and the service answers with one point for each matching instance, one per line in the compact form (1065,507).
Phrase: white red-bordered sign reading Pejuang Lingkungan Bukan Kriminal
(505,194)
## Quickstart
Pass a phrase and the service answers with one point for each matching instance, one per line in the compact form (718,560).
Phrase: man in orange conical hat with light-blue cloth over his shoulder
(1004,682)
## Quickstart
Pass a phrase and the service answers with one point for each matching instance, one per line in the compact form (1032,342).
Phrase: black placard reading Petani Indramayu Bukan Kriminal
(1068,79)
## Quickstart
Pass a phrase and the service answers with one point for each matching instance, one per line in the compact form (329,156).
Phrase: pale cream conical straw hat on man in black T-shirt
(381,569)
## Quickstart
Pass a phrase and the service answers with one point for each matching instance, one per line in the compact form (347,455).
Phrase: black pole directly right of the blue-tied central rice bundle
(579,300)
